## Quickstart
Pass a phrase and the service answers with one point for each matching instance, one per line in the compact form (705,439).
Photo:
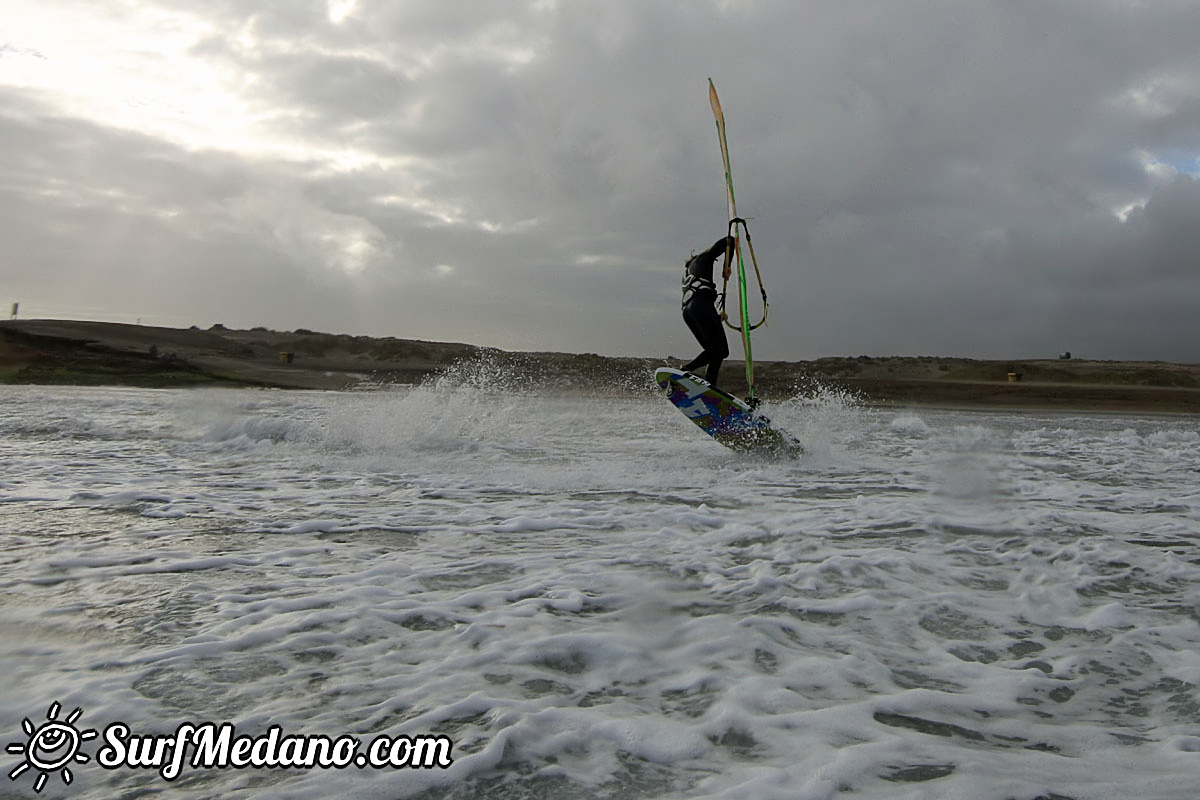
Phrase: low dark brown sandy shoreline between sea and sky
(68,352)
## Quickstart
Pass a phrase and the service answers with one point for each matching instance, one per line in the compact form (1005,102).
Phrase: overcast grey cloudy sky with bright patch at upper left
(922,178)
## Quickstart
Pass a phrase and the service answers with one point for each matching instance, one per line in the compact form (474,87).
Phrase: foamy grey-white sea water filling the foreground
(591,599)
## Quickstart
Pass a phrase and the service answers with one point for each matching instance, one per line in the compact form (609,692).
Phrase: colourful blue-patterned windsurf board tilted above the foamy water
(724,417)
